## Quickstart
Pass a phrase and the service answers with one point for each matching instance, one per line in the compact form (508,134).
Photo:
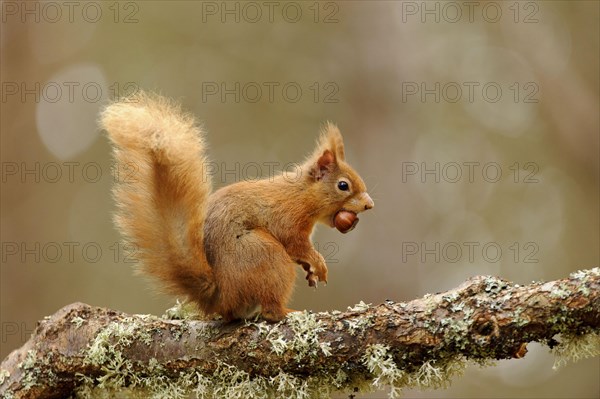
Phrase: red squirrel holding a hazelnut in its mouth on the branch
(234,251)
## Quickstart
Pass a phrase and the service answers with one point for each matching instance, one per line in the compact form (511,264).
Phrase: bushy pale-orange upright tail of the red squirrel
(162,191)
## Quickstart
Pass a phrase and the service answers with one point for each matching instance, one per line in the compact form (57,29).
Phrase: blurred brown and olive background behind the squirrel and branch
(474,124)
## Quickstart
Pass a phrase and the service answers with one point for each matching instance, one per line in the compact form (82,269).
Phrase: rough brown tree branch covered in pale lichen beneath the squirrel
(419,343)
